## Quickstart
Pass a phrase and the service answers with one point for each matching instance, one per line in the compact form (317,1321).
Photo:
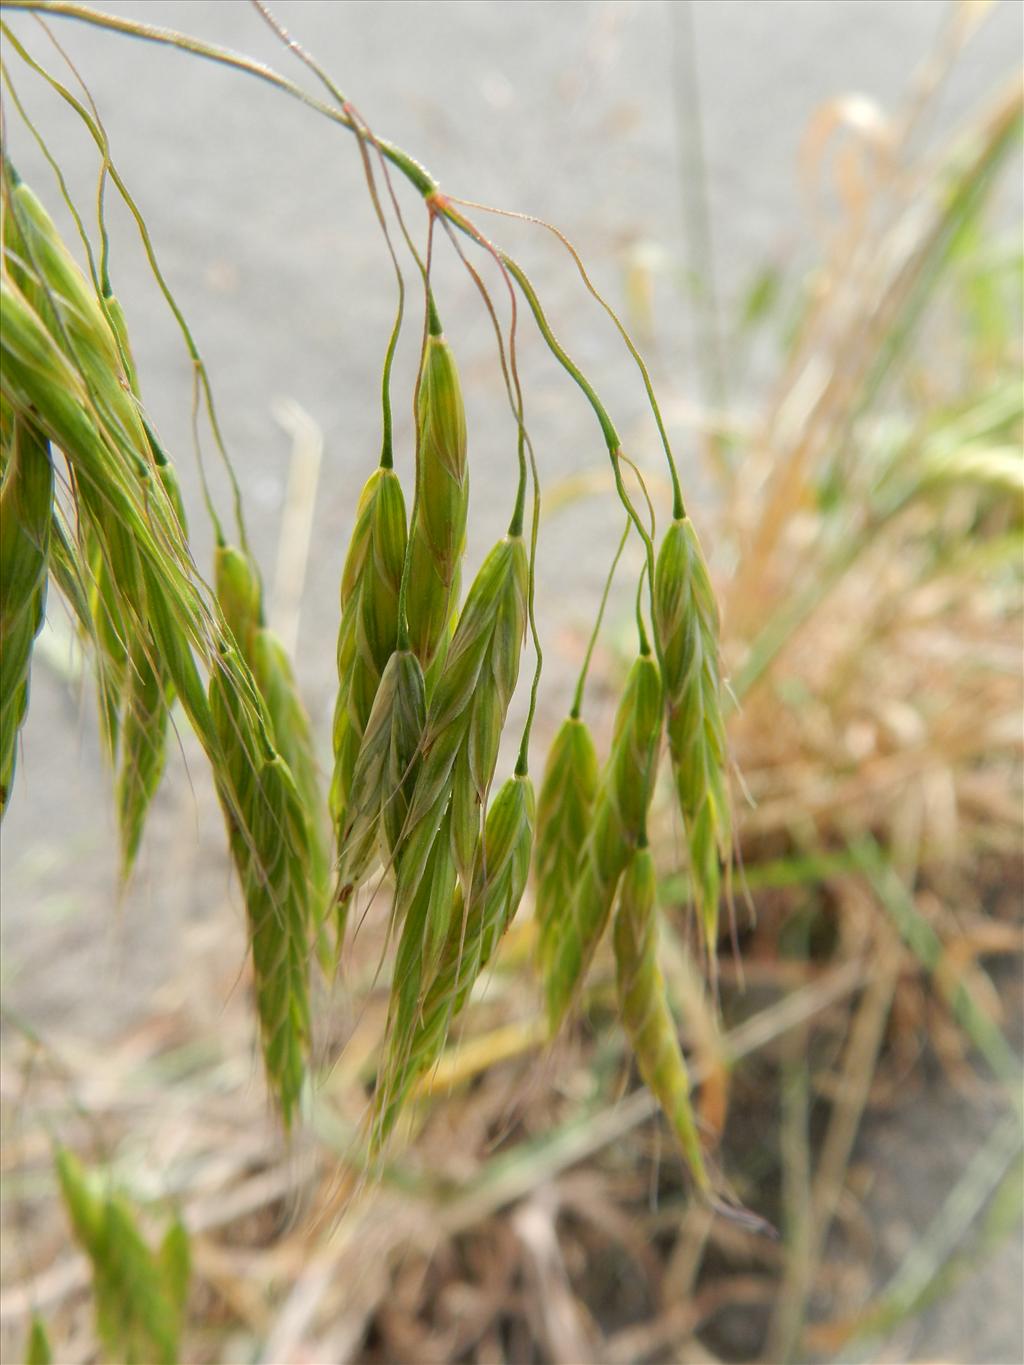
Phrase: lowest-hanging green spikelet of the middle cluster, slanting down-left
(423,1018)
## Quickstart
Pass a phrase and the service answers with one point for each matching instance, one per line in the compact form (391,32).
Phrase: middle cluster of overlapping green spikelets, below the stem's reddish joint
(424,693)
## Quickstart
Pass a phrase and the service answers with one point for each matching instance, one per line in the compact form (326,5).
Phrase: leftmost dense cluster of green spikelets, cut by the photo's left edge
(119,551)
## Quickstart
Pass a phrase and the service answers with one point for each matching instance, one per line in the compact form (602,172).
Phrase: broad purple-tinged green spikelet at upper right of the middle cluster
(465,723)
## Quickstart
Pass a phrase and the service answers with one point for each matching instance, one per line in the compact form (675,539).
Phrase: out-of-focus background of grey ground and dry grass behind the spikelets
(809,216)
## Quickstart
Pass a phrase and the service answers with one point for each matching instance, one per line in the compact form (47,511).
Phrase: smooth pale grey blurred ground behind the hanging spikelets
(261,219)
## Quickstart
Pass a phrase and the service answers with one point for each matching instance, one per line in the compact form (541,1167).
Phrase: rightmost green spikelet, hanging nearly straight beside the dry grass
(686,620)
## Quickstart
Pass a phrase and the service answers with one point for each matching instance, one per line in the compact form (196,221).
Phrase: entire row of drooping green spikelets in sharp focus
(425,685)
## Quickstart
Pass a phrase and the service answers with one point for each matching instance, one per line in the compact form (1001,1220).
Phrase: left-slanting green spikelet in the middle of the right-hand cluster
(619,824)
